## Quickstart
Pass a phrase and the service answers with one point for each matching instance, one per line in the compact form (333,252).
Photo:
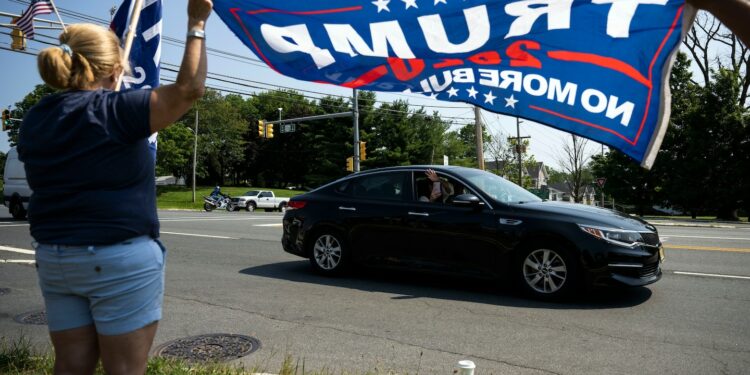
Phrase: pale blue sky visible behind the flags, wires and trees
(20,76)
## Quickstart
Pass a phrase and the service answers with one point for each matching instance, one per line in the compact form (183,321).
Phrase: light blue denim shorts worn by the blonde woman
(119,288)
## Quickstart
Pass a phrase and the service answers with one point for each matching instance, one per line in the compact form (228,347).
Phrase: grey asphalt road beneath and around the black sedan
(227,273)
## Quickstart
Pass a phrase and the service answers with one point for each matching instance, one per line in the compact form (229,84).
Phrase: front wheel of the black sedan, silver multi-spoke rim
(547,272)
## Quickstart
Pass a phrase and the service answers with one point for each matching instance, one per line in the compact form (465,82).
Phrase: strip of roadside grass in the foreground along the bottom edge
(20,358)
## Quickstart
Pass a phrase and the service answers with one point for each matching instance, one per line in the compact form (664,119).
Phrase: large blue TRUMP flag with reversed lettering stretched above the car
(596,68)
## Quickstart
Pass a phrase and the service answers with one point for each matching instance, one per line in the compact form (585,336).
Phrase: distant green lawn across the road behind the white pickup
(180,197)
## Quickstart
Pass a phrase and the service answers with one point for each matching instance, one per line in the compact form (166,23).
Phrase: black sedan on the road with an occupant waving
(467,221)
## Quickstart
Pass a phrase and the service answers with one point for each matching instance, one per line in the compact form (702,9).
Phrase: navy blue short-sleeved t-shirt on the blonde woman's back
(88,163)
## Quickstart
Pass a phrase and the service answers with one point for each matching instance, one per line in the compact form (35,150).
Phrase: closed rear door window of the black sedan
(386,186)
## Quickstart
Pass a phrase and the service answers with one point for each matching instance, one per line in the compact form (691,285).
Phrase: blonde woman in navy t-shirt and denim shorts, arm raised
(93,211)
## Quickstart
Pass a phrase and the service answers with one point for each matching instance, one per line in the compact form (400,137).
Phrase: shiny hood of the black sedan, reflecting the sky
(583,214)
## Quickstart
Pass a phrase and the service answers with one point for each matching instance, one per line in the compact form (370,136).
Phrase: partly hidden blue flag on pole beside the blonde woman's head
(145,54)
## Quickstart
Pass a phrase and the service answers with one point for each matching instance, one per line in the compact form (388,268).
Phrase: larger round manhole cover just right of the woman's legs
(209,348)
